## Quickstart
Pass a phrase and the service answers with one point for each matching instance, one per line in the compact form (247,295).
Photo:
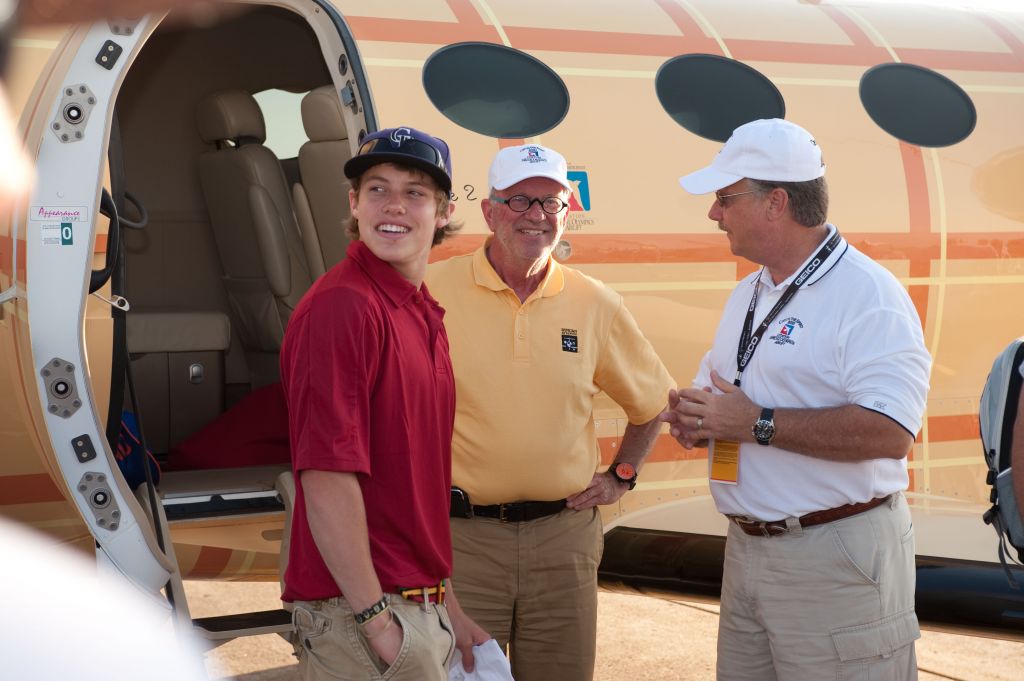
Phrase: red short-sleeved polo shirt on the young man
(367,375)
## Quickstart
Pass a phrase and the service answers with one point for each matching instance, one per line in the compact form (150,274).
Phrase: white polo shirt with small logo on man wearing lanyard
(849,336)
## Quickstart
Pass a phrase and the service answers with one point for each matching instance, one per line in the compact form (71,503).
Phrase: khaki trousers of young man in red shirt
(331,647)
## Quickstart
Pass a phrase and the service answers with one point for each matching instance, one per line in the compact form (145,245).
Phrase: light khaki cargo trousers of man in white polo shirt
(833,602)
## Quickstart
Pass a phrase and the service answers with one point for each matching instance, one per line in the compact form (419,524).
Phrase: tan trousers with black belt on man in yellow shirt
(533,586)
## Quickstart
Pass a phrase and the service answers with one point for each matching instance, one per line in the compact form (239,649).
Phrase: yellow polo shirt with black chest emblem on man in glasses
(527,376)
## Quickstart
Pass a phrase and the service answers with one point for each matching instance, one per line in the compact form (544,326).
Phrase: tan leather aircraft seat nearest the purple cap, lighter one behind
(324,188)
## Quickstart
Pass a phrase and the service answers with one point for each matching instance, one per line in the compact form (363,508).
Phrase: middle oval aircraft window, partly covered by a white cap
(713,96)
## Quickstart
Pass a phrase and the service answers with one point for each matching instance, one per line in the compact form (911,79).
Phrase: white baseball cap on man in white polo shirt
(771,150)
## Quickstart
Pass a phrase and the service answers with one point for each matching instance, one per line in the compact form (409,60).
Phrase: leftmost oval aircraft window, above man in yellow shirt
(495,91)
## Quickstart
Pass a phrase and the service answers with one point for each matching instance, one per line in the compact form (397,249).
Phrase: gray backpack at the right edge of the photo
(999,411)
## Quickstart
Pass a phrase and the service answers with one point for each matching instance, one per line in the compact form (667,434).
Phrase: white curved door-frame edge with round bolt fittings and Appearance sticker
(71,116)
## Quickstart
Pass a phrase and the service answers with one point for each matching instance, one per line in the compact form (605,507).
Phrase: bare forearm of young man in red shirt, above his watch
(338,523)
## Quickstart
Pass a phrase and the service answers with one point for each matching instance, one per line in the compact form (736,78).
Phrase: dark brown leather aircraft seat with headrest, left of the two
(253,224)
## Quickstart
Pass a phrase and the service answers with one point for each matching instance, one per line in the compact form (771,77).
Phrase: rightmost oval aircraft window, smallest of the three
(917,105)
